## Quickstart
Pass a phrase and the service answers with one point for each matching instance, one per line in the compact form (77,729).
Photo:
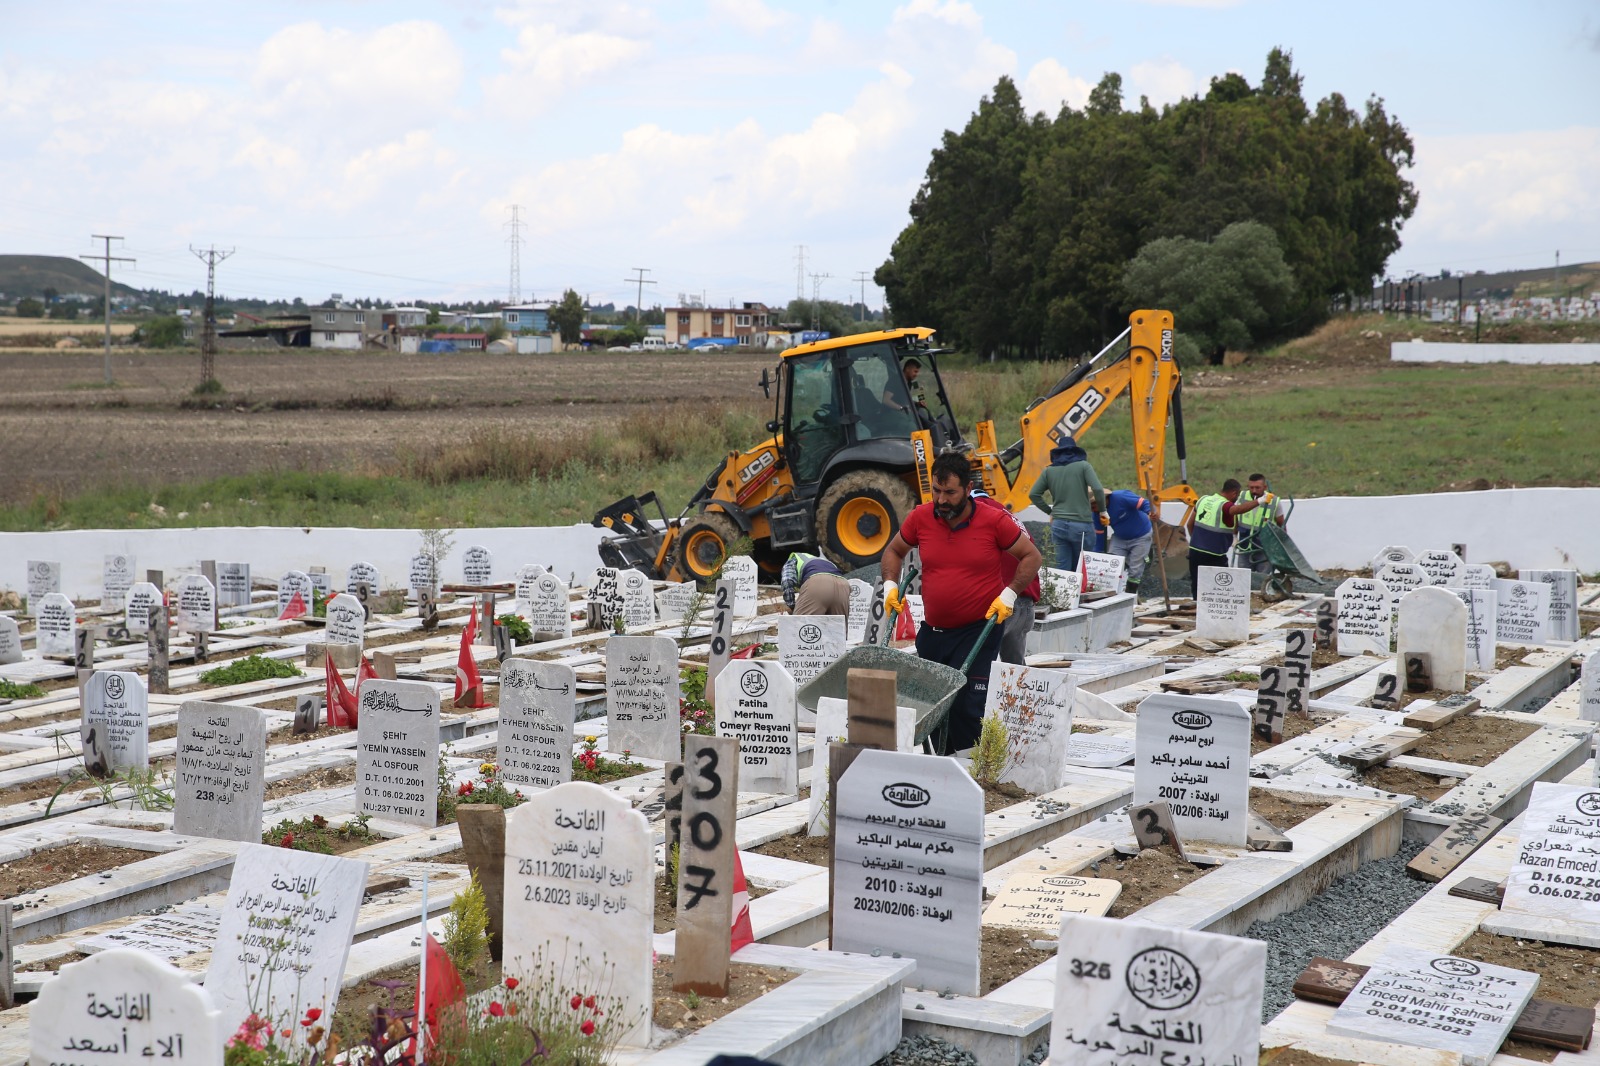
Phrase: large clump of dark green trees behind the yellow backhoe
(1244,210)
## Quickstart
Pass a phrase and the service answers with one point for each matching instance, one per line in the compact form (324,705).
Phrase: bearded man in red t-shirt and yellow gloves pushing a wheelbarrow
(962,547)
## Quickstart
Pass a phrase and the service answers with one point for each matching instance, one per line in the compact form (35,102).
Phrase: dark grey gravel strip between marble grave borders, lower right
(1346,915)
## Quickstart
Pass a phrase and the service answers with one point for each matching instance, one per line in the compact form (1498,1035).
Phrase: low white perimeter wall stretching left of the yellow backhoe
(271,551)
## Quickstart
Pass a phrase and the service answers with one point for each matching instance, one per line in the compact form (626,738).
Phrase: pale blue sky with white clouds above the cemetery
(378,148)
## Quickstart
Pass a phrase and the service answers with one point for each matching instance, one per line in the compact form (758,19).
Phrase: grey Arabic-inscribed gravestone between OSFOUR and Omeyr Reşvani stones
(642,697)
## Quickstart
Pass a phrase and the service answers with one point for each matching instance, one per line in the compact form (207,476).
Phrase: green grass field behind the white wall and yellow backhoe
(1324,415)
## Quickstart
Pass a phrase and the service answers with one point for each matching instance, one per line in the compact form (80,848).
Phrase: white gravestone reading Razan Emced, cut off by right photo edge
(1558,870)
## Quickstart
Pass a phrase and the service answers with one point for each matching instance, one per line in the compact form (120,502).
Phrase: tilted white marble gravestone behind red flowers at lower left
(286,936)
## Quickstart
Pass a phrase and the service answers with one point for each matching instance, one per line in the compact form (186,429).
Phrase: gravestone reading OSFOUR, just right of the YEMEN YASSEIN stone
(538,705)
